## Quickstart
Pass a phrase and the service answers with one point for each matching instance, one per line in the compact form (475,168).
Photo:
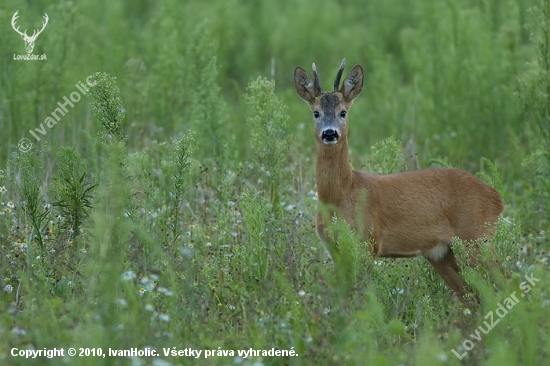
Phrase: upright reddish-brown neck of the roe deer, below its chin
(333,171)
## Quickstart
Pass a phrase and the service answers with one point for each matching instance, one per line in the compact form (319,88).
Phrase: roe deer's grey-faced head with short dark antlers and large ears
(330,109)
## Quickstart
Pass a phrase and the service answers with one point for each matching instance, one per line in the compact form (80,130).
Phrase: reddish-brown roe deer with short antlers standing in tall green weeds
(406,214)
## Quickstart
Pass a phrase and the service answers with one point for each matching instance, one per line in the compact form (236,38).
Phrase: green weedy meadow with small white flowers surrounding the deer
(157,181)
